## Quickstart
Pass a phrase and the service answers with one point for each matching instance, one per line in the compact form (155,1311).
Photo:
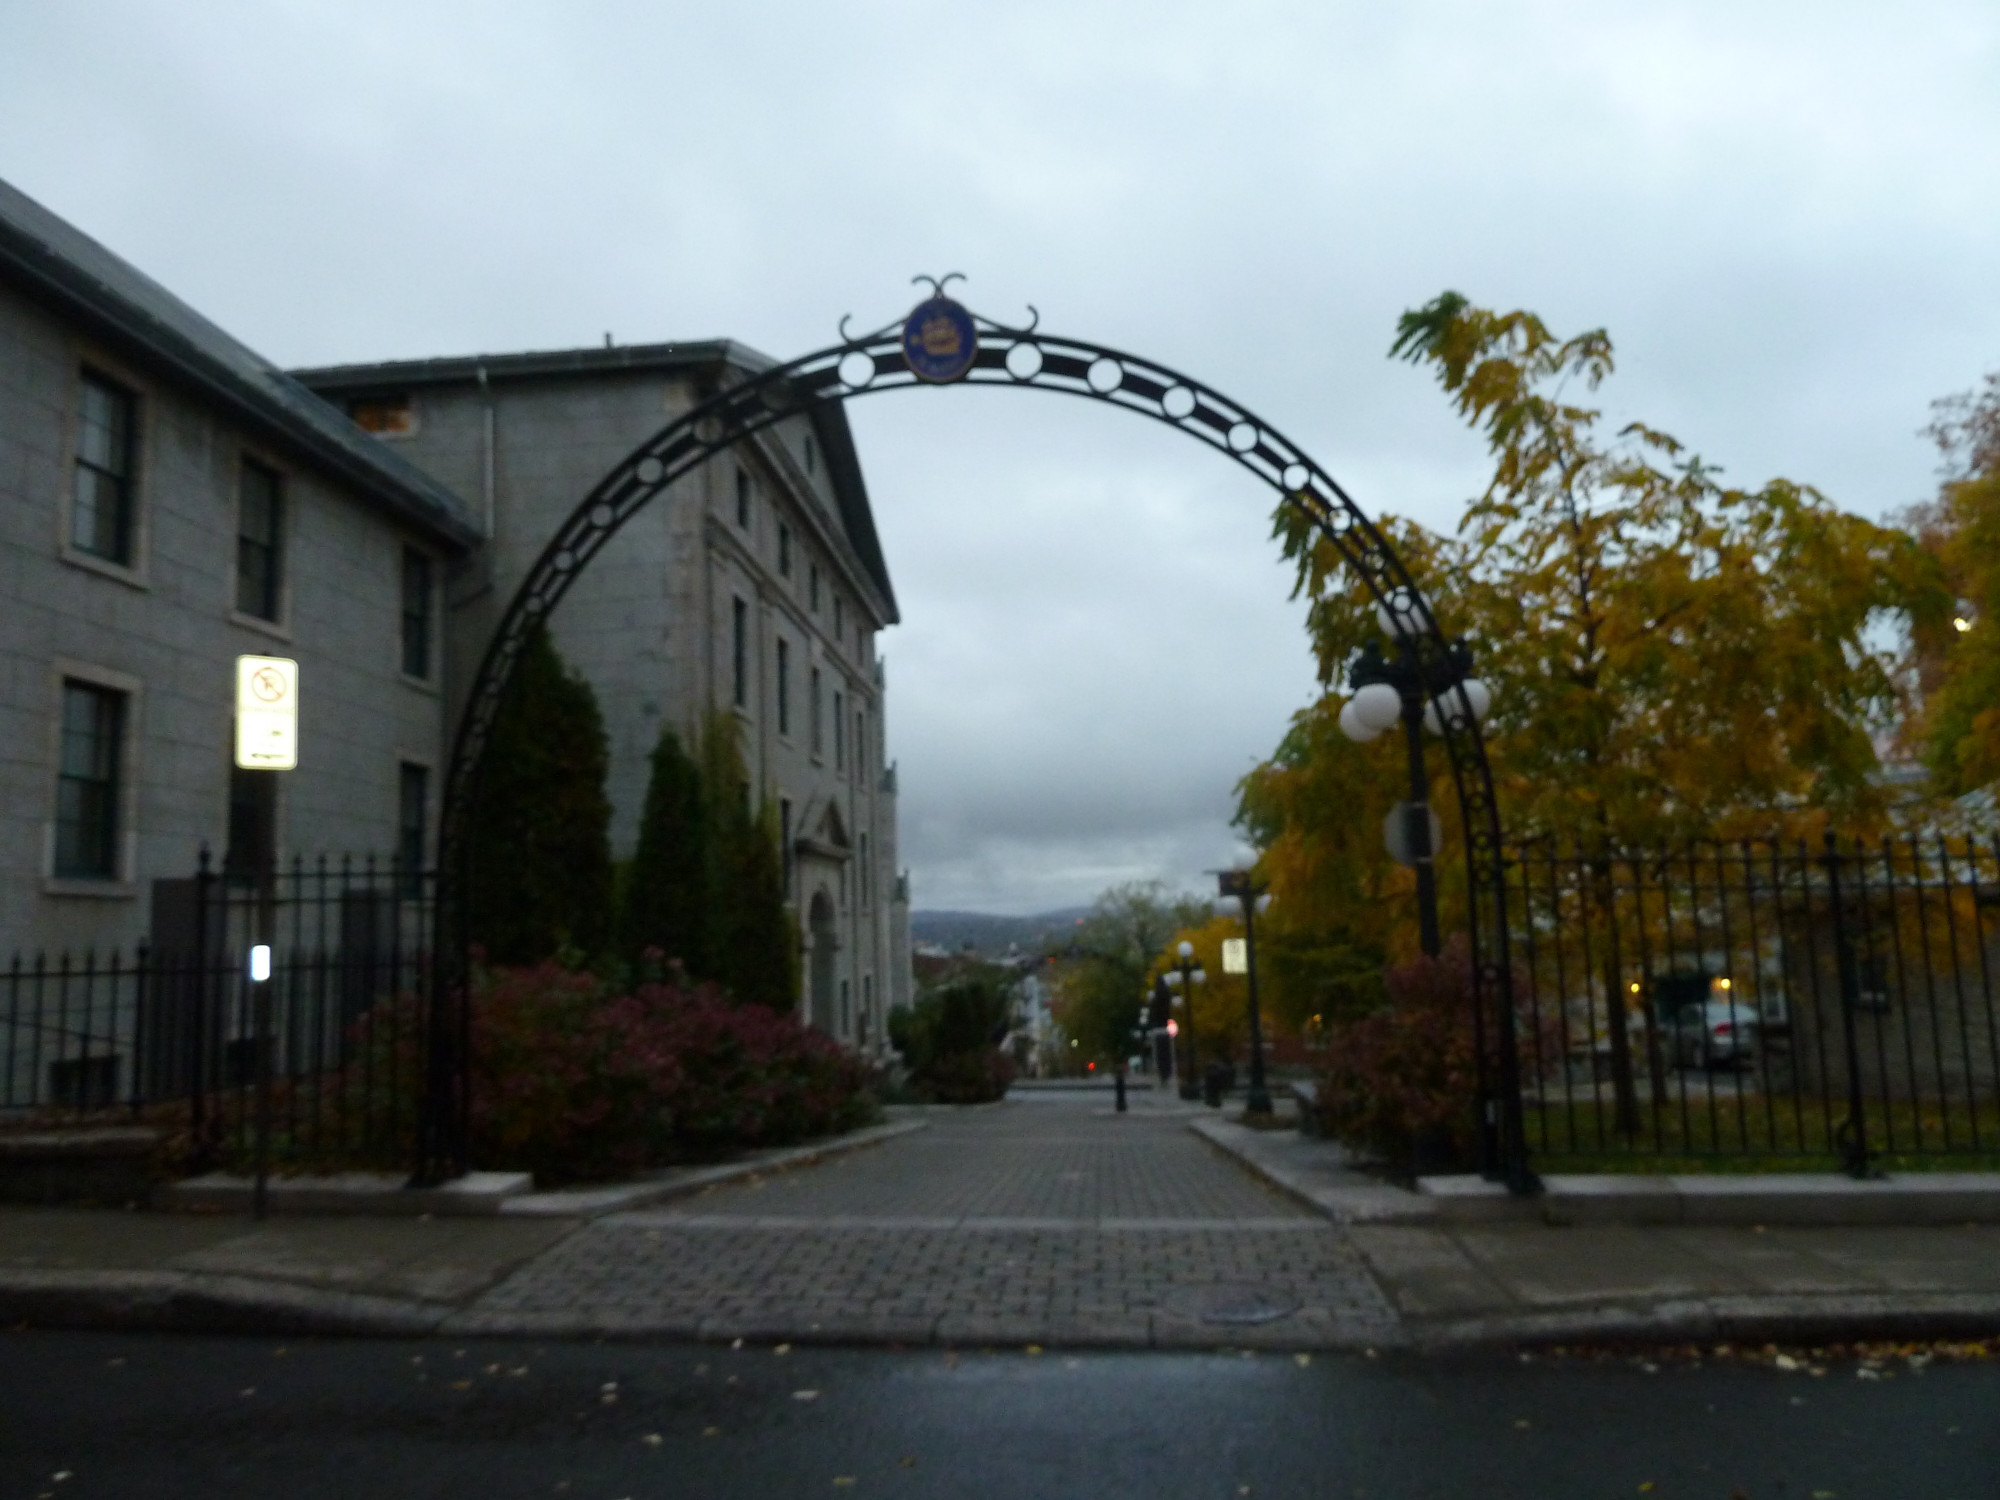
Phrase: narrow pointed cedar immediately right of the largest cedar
(671,893)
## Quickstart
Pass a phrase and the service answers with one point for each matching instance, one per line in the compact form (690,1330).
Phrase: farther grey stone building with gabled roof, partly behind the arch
(753,587)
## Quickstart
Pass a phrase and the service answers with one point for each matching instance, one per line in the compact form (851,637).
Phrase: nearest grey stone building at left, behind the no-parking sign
(169,501)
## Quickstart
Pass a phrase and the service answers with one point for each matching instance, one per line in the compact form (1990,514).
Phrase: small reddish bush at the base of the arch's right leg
(1401,1083)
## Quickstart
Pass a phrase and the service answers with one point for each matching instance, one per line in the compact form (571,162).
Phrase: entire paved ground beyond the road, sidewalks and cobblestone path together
(1049,1221)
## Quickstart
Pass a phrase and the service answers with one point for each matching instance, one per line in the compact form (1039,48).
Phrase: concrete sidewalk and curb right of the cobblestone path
(1469,1267)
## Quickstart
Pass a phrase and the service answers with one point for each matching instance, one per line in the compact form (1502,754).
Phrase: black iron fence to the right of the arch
(1797,1003)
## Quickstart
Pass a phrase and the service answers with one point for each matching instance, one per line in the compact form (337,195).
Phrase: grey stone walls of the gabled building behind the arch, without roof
(651,621)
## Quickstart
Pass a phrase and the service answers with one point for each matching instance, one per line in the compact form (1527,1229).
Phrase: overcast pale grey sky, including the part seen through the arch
(1787,215)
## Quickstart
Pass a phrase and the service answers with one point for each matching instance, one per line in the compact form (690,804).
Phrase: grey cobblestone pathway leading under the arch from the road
(1033,1221)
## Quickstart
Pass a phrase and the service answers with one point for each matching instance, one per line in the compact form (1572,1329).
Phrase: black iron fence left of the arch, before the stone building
(315,1065)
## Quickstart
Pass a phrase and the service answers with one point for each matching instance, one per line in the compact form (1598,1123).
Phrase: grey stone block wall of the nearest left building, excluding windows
(165,631)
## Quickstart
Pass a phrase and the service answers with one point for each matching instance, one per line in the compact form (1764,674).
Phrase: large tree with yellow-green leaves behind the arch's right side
(1669,657)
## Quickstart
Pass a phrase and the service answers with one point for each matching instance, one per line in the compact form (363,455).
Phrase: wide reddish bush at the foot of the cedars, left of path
(579,1083)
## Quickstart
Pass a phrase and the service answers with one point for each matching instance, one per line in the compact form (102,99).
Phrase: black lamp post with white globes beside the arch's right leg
(1413,689)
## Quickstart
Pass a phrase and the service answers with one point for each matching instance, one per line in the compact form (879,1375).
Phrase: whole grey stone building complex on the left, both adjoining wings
(171,501)
